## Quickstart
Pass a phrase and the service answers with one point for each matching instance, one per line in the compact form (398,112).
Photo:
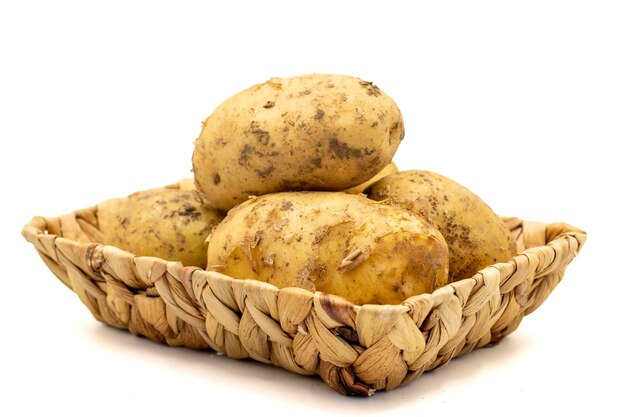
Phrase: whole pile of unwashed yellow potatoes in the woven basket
(294,185)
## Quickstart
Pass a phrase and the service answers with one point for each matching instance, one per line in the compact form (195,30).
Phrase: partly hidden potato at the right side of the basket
(476,236)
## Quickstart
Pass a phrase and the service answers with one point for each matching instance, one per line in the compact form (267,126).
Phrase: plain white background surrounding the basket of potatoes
(524,103)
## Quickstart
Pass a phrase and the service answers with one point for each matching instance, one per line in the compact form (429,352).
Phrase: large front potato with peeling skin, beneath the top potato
(344,244)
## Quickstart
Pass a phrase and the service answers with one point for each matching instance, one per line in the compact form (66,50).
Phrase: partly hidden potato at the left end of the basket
(166,223)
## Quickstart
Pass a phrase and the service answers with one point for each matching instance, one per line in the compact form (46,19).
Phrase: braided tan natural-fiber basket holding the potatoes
(355,349)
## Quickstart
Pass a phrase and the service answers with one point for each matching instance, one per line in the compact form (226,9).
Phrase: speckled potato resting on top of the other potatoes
(314,132)
